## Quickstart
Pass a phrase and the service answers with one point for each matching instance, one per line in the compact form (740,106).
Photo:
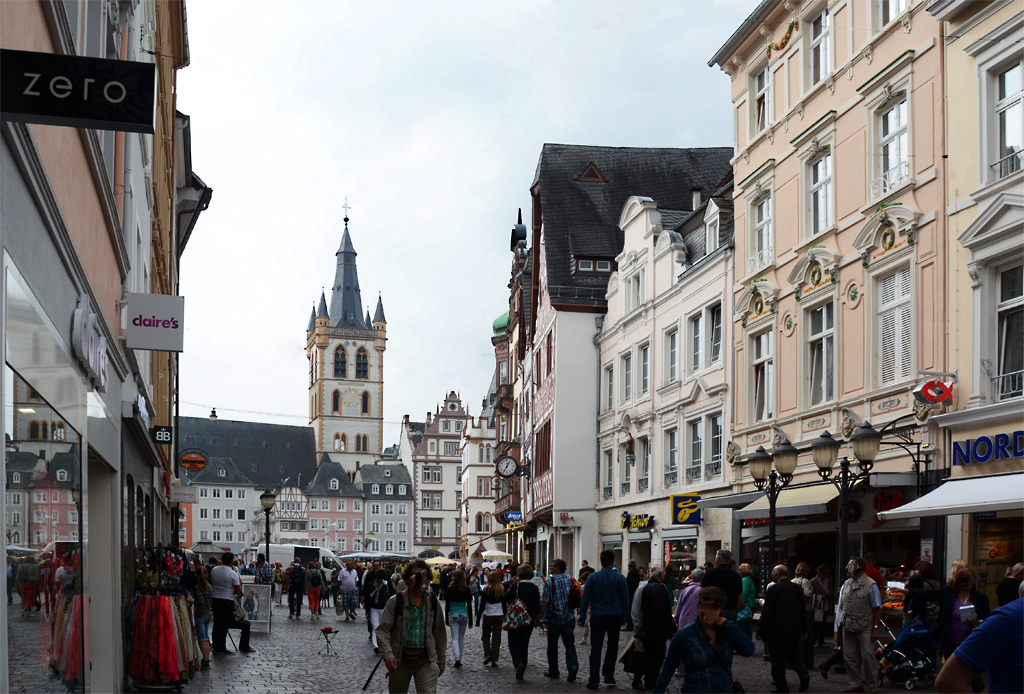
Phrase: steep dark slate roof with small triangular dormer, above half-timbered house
(581,220)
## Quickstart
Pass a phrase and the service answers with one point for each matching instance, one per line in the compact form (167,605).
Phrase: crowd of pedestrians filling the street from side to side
(689,627)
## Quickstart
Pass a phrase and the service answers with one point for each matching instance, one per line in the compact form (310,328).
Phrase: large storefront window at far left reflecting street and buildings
(46,635)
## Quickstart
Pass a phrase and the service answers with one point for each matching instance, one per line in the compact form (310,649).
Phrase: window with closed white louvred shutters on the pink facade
(894,328)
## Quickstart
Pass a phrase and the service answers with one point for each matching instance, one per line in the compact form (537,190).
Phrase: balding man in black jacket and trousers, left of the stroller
(784,623)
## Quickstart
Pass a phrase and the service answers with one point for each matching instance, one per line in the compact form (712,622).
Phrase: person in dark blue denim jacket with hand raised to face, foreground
(705,648)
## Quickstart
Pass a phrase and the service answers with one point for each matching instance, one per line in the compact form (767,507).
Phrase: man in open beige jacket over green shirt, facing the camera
(412,635)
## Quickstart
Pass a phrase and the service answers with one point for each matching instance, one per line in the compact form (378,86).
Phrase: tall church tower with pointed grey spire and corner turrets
(346,350)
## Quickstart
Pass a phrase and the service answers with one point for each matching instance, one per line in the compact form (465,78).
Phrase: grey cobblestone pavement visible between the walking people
(287,662)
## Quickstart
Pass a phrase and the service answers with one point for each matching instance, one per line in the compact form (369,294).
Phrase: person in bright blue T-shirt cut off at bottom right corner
(997,647)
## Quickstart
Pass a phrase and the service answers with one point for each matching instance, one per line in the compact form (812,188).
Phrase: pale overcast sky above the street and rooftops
(430,117)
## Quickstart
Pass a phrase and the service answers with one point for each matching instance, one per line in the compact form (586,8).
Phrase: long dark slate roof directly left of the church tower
(267,454)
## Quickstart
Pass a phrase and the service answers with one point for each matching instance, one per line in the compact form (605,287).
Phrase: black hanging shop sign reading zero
(78,93)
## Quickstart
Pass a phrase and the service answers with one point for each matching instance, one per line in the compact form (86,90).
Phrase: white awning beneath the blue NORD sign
(973,495)
